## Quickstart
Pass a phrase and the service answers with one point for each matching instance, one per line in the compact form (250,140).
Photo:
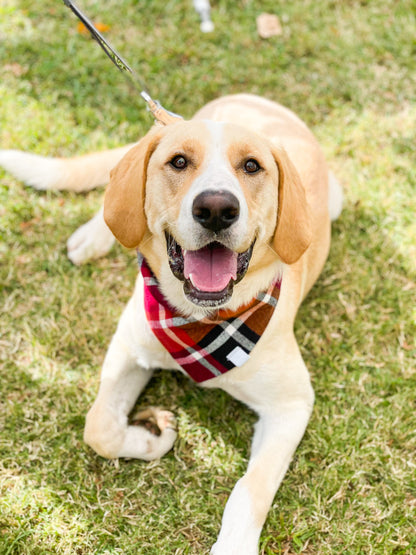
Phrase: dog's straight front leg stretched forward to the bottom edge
(279,430)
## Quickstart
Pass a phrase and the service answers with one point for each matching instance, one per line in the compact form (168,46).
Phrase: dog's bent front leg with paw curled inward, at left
(107,428)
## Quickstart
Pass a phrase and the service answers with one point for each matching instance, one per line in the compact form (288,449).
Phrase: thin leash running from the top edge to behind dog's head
(158,111)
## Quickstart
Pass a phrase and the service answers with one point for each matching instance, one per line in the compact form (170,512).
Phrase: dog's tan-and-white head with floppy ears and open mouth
(207,200)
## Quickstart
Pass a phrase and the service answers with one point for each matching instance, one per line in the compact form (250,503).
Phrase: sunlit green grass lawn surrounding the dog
(348,68)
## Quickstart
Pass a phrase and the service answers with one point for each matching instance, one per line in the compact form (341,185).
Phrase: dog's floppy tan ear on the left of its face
(125,194)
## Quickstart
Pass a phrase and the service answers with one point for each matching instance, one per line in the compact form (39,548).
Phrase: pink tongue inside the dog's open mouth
(211,268)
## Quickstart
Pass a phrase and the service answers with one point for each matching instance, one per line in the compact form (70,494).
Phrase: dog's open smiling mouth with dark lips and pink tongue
(209,273)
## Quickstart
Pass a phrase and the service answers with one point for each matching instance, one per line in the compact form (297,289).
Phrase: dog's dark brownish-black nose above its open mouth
(216,210)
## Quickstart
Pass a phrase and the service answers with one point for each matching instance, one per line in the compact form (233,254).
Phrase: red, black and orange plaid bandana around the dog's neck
(207,348)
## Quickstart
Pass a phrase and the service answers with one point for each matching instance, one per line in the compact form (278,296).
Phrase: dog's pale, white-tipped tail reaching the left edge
(81,173)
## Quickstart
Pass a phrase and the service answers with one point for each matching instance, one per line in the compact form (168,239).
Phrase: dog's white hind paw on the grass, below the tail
(91,240)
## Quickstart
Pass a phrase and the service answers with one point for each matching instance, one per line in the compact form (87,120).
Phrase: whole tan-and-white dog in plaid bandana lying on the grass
(231,214)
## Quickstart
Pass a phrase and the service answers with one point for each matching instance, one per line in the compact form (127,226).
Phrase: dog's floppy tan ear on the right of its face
(293,231)
